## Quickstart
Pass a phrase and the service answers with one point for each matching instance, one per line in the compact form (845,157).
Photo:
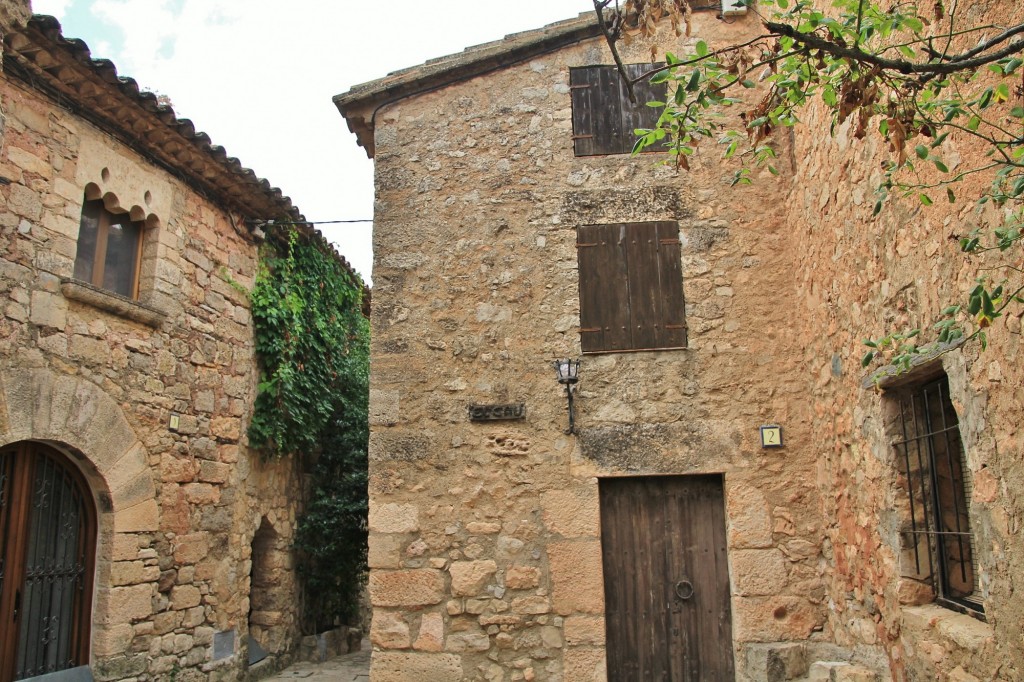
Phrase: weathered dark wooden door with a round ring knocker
(666,579)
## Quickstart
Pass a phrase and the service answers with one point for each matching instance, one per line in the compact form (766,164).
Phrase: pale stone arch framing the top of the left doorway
(75,414)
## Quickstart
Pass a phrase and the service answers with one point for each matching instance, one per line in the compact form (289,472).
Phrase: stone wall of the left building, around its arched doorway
(151,398)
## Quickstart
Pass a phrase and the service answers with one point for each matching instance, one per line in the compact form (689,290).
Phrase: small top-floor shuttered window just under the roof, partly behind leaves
(604,117)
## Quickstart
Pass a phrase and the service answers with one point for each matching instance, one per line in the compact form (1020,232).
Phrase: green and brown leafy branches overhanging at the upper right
(879,69)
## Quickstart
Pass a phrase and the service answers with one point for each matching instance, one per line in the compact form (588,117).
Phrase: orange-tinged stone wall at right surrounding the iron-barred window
(858,278)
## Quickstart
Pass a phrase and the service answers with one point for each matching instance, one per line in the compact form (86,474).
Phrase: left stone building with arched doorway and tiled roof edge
(141,536)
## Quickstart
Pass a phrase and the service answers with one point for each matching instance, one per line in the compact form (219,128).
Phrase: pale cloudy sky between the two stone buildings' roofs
(259,77)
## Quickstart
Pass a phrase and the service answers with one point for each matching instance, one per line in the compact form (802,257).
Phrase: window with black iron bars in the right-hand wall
(938,543)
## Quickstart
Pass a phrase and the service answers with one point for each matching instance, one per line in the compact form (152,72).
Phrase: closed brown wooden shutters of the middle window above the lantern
(631,287)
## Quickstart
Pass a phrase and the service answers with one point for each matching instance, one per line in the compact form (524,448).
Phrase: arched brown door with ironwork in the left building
(48,550)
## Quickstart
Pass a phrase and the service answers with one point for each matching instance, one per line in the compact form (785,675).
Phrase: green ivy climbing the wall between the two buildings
(313,344)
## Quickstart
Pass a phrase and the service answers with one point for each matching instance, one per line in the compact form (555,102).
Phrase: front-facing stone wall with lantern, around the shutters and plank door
(485,543)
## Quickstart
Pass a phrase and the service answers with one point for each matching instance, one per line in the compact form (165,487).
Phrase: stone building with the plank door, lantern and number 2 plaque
(668,537)
